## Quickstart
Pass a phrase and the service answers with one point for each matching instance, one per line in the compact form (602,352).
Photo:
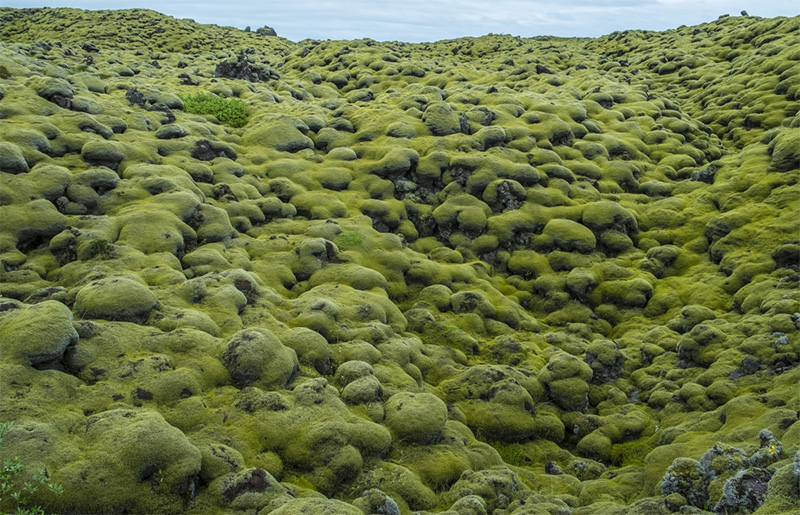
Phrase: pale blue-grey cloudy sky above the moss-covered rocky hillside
(432,20)
